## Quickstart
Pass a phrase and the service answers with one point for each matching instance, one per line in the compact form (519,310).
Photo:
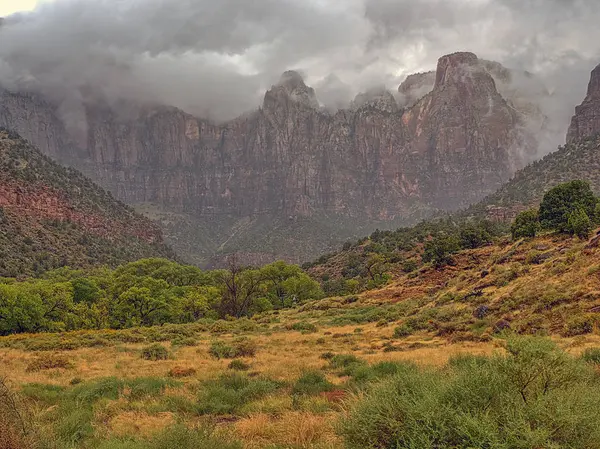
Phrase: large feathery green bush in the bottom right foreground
(534,396)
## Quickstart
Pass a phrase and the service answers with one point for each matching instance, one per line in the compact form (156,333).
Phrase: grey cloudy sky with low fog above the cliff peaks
(215,59)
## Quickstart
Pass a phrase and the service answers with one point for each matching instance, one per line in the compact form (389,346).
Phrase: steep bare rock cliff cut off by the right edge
(586,121)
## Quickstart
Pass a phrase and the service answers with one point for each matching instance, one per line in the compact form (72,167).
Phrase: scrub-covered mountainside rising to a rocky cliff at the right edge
(578,159)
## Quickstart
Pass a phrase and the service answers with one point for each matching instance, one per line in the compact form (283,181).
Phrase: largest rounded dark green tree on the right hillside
(561,201)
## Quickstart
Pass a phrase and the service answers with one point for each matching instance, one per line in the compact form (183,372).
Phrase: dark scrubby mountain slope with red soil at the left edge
(51,216)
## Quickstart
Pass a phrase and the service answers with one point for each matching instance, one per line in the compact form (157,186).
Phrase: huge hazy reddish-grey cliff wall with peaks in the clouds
(290,180)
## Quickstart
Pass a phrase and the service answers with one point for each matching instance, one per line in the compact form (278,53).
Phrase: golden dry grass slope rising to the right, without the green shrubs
(549,285)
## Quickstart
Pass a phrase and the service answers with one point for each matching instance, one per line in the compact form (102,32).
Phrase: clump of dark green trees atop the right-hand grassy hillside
(569,208)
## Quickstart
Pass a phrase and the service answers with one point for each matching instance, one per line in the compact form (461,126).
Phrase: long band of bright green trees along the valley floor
(148,292)
